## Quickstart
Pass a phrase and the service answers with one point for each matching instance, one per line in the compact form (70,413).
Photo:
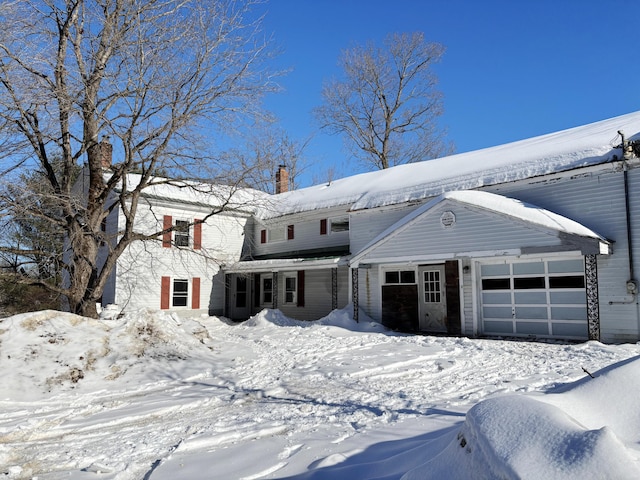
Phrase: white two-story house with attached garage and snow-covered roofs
(538,238)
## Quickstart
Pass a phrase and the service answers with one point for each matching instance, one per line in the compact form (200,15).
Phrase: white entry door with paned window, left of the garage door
(433,299)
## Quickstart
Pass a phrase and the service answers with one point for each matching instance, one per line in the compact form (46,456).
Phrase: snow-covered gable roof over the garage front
(493,203)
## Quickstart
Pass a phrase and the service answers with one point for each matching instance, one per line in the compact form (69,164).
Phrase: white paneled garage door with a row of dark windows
(542,298)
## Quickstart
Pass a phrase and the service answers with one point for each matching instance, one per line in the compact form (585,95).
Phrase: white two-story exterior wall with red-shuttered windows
(143,264)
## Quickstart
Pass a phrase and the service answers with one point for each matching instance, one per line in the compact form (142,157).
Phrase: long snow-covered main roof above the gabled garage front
(565,150)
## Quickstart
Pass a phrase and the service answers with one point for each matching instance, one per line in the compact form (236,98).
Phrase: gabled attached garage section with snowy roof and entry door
(535,271)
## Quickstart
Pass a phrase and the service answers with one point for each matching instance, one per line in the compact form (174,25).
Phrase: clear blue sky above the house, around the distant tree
(513,69)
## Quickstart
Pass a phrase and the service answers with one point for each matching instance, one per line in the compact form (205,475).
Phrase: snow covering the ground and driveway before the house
(155,396)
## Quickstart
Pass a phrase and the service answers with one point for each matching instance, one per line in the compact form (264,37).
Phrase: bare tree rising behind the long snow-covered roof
(386,106)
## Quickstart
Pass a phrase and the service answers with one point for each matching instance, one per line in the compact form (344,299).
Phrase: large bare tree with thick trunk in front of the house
(152,75)
